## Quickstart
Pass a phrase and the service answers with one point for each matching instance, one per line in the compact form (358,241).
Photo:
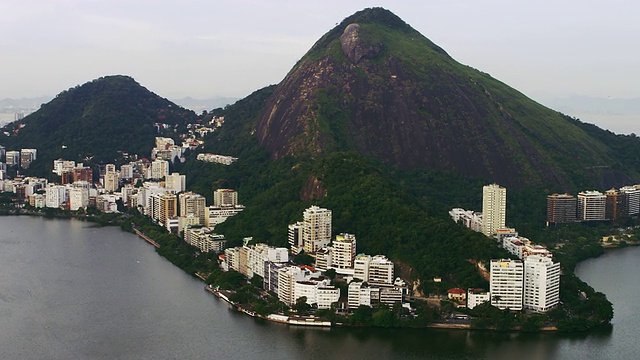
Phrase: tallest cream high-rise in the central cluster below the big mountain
(316,230)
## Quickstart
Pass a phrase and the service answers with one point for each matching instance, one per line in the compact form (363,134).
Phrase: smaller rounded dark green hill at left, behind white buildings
(98,120)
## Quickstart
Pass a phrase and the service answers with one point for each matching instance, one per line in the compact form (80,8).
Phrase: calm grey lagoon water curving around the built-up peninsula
(69,290)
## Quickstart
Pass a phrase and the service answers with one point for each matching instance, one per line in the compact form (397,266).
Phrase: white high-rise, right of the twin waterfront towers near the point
(541,283)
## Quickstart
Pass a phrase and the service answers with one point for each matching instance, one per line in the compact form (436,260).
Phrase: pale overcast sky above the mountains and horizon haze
(548,50)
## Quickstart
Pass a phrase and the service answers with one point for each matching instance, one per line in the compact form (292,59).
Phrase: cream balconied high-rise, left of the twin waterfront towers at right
(506,284)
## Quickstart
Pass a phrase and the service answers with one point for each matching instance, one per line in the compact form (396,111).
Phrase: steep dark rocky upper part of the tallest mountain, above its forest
(376,86)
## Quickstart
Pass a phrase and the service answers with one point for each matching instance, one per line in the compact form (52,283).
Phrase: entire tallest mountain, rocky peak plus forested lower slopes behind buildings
(390,132)
